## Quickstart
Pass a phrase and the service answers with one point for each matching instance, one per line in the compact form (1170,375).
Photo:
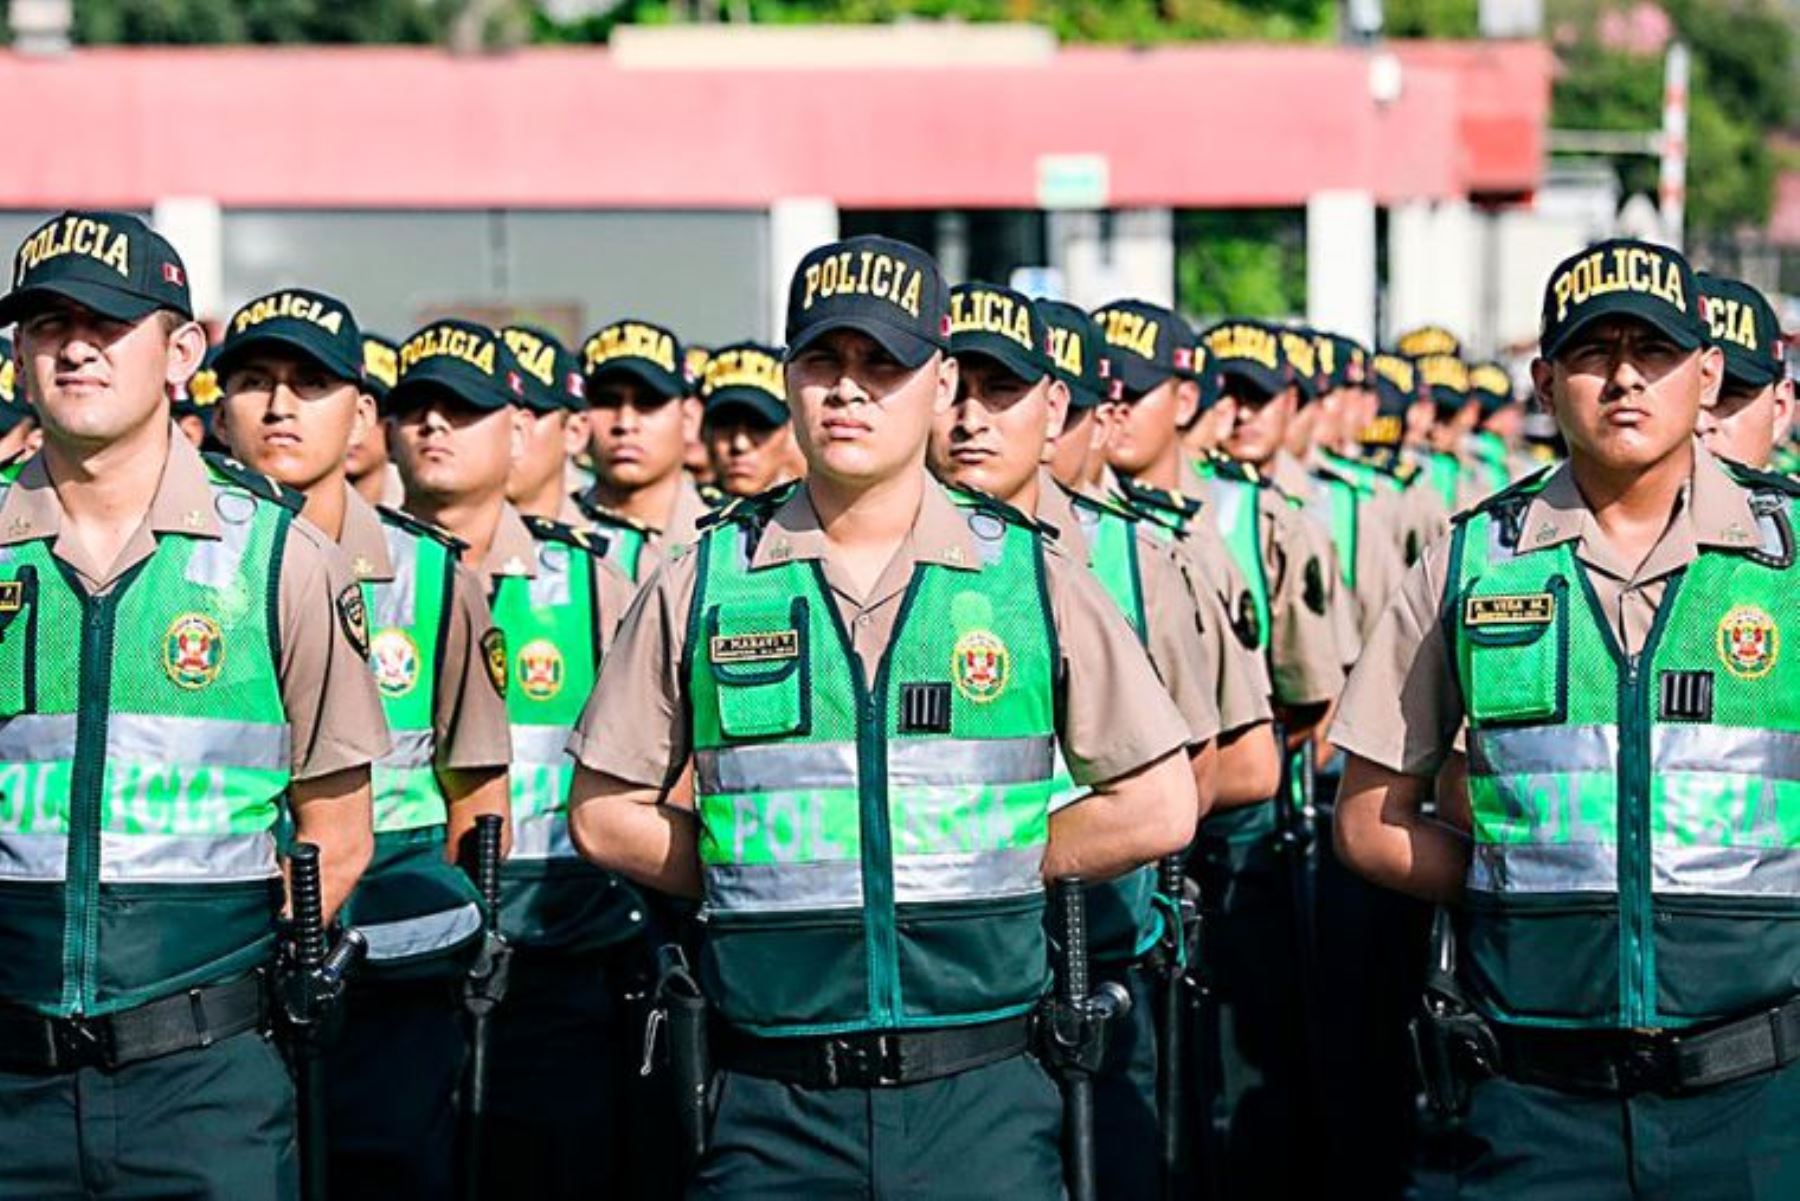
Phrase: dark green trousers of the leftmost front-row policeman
(213,1124)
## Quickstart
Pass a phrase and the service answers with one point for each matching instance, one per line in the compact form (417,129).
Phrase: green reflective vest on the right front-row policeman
(1637,818)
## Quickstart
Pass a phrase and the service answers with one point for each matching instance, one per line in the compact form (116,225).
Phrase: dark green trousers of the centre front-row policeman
(985,1135)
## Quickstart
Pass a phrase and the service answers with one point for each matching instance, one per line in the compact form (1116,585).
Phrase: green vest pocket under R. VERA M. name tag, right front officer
(1516,671)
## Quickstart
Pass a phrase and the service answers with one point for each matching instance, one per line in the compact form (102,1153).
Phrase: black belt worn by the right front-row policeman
(1651,1061)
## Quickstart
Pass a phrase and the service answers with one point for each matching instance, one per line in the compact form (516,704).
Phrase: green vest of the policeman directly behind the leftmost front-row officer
(418,912)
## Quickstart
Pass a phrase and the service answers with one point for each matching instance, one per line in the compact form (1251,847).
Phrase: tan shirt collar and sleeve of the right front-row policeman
(1403,707)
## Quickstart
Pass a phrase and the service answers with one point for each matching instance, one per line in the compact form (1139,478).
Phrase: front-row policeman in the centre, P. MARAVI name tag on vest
(870,712)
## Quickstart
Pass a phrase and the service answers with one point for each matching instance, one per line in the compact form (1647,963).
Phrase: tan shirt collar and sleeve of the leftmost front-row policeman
(330,700)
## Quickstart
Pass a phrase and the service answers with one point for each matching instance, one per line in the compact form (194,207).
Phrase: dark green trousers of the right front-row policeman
(1738,1142)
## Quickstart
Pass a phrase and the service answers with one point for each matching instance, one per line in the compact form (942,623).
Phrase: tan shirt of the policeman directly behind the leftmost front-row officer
(469,712)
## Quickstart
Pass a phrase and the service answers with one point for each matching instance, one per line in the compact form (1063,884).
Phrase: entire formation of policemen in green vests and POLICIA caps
(993,593)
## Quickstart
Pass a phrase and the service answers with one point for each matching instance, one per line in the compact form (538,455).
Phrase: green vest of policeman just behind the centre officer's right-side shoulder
(1122,916)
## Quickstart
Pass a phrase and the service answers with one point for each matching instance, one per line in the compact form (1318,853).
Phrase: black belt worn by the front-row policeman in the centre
(876,1058)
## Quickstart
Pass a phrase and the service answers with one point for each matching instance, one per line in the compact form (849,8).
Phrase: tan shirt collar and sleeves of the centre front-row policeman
(1115,718)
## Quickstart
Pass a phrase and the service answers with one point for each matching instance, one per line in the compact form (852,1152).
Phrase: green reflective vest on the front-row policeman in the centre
(872,851)
